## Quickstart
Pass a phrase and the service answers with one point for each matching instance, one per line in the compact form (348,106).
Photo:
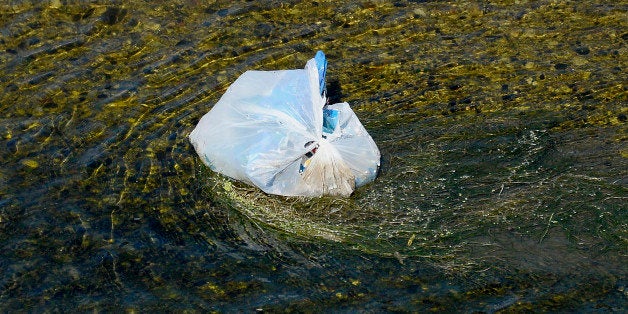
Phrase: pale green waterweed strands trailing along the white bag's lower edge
(356,226)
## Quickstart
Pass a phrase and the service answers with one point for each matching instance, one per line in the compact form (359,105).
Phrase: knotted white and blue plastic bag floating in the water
(274,130)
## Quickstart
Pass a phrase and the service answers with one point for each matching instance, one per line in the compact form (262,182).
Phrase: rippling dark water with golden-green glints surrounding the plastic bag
(502,127)
